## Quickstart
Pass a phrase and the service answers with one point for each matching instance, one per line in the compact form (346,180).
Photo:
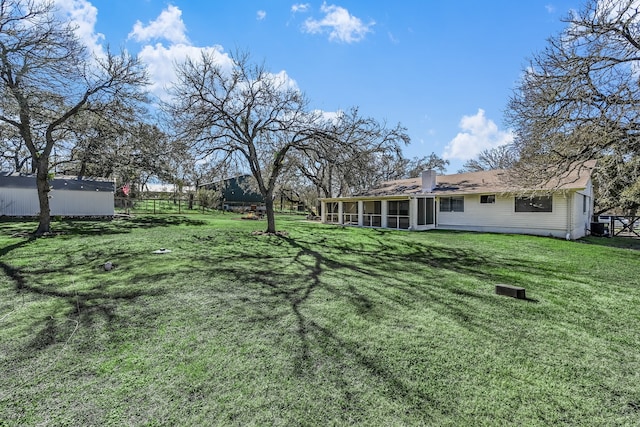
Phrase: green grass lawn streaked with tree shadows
(322,326)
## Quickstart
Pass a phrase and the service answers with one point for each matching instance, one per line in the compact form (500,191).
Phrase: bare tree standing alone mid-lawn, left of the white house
(242,114)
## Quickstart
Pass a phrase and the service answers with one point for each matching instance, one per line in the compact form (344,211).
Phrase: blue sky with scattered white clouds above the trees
(443,69)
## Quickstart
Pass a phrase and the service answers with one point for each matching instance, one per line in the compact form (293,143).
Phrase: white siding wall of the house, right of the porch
(501,217)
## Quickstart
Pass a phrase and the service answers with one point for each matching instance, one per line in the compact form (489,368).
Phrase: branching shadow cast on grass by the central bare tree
(375,280)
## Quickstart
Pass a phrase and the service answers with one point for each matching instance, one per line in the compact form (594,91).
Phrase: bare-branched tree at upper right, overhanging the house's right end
(578,99)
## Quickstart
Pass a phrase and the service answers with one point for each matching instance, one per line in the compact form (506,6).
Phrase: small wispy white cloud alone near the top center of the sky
(339,23)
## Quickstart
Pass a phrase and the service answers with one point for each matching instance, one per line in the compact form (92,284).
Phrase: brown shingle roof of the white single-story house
(484,182)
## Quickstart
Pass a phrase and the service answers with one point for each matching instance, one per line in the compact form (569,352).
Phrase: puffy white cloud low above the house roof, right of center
(478,133)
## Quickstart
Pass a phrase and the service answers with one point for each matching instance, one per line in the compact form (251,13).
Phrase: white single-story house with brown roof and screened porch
(476,201)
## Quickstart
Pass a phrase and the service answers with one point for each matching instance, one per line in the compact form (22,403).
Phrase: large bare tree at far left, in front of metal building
(49,78)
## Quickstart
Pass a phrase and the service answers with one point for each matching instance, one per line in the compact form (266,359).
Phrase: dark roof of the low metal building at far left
(20,180)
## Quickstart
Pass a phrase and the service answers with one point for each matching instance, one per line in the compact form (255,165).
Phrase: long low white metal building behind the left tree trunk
(69,196)
